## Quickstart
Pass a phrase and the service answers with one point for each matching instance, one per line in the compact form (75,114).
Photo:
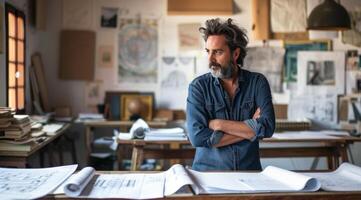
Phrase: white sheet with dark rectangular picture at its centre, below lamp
(321,71)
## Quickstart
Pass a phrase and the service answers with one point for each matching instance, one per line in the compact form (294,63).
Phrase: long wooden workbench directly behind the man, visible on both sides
(332,149)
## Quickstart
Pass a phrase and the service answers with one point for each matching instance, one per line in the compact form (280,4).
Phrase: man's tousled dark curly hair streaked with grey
(235,36)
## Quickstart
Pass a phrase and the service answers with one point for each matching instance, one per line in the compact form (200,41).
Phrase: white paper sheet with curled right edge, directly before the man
(272,179)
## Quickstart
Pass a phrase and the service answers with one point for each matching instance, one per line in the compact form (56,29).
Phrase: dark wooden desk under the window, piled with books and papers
(20,158)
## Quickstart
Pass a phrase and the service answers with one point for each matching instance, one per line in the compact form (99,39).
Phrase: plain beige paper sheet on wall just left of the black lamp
(284,11)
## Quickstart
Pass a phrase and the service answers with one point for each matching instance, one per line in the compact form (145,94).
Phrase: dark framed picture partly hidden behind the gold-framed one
(113,104)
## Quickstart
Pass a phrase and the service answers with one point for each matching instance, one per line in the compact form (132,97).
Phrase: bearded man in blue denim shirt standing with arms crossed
(228,109)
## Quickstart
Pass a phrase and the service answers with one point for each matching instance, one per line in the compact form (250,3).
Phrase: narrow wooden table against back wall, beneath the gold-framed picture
(90,125)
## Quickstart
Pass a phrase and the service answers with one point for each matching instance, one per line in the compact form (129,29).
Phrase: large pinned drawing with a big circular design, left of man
(138,50)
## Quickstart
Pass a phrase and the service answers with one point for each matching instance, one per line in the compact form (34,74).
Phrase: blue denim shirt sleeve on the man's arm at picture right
(266,122)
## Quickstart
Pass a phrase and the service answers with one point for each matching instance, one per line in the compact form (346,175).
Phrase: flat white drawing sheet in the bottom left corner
(32,183)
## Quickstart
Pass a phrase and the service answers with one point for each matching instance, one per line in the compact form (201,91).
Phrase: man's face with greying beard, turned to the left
(221,61)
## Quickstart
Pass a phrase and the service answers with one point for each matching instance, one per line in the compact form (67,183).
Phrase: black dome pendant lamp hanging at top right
(329,15)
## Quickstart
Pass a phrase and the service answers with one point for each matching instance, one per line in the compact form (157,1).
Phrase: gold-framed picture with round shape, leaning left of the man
(134,106)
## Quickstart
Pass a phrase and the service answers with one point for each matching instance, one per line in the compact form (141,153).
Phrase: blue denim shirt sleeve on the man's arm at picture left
(197,120)
